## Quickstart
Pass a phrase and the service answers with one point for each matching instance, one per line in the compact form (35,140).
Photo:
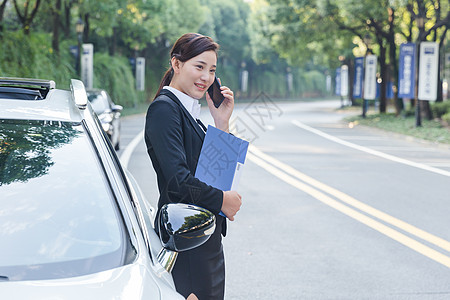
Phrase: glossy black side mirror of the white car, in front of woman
(182,227)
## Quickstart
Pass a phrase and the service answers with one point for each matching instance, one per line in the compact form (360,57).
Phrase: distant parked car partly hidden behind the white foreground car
(108,113)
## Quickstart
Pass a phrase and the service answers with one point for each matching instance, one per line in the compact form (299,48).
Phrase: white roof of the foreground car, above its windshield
(58,104)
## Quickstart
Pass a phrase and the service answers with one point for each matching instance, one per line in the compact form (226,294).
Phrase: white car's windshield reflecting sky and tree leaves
(58,217)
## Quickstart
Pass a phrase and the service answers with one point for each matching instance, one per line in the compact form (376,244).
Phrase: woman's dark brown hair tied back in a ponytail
(189,45)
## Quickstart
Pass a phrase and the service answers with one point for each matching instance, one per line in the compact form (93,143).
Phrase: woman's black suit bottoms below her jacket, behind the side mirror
(202,270)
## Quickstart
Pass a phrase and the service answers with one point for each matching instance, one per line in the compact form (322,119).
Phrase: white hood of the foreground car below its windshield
(129,282)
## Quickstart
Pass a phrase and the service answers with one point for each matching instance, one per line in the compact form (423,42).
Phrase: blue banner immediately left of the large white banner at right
(407,71)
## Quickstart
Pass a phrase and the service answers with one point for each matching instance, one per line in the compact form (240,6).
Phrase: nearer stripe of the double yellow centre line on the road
(393,234)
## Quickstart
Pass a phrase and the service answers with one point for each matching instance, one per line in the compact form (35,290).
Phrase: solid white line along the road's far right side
(371,151)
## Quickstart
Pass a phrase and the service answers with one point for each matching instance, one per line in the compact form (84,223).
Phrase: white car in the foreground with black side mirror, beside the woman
(73,223)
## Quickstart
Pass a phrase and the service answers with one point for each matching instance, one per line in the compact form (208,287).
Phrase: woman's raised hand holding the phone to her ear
(222,114)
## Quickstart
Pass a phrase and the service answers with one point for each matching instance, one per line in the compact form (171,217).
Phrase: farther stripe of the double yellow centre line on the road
(352,201)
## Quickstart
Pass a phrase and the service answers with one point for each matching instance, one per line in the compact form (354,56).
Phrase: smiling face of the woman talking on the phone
(193,77)
